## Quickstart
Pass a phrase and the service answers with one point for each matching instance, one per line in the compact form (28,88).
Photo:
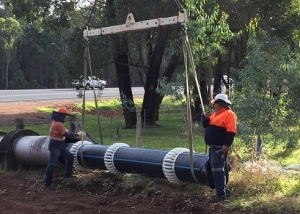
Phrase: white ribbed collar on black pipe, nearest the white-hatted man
(169,164)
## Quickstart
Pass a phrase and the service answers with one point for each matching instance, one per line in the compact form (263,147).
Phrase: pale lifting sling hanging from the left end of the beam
(87,62)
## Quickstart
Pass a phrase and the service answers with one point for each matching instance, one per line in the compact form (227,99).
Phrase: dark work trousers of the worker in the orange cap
(53,160)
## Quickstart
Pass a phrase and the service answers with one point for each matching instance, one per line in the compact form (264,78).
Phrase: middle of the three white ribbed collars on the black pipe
(109,157)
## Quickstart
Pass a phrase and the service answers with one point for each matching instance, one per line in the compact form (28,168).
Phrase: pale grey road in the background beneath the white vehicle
(28,95)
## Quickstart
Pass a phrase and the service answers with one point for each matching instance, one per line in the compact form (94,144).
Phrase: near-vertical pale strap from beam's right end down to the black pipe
(188,108)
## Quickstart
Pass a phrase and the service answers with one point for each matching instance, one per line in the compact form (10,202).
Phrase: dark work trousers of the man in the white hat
(217,161)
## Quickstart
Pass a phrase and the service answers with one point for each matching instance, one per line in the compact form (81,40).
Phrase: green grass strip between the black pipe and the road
(169,133)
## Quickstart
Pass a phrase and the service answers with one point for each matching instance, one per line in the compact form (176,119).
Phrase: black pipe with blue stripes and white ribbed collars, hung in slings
(120,158)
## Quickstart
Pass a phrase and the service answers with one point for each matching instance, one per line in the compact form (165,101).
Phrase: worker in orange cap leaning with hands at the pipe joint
(57,146)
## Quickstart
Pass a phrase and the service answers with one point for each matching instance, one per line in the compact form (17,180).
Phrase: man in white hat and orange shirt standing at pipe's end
(220,130)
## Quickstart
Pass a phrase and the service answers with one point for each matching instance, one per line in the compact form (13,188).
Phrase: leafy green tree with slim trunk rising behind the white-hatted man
(209,31)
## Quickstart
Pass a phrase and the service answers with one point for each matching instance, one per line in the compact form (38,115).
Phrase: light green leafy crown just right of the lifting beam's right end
(208,29)
